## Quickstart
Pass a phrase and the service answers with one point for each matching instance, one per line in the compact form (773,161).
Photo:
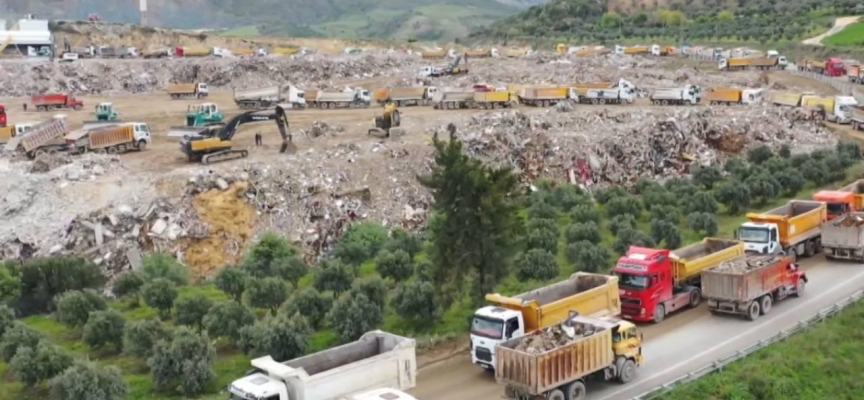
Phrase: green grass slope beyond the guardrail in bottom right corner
(820,363)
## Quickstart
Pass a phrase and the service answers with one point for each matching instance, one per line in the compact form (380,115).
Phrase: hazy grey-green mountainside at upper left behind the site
(403,19)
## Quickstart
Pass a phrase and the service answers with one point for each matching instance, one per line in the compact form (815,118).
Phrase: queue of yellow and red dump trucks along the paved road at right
(742,276)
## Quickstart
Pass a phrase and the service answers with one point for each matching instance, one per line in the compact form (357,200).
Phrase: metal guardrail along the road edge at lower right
(718,365)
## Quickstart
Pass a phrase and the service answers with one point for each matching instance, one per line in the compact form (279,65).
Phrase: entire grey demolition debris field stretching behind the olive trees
(111,209)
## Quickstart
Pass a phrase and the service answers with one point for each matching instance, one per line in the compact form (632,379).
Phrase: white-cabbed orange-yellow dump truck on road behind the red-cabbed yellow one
(793,229)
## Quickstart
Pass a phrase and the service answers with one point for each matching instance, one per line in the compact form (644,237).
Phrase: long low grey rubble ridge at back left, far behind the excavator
(144,76)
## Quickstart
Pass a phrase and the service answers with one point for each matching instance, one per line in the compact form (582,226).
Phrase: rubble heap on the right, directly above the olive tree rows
(621,145)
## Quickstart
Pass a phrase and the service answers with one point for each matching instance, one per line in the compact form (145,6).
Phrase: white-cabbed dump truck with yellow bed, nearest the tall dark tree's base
(513,317)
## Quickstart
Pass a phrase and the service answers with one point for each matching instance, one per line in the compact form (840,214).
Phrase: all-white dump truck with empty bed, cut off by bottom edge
(376,361)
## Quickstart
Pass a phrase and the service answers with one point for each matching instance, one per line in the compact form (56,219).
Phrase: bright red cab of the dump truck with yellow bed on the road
(646,285)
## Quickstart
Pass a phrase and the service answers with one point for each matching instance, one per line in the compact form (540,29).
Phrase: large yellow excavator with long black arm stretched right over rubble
(212,143)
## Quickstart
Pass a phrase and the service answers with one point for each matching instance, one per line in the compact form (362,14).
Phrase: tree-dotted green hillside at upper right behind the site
(734,20)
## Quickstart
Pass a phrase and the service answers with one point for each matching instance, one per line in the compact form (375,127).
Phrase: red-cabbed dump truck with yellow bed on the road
(678,275)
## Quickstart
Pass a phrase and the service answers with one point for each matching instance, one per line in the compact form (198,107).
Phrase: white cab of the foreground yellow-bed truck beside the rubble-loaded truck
(490,326)
